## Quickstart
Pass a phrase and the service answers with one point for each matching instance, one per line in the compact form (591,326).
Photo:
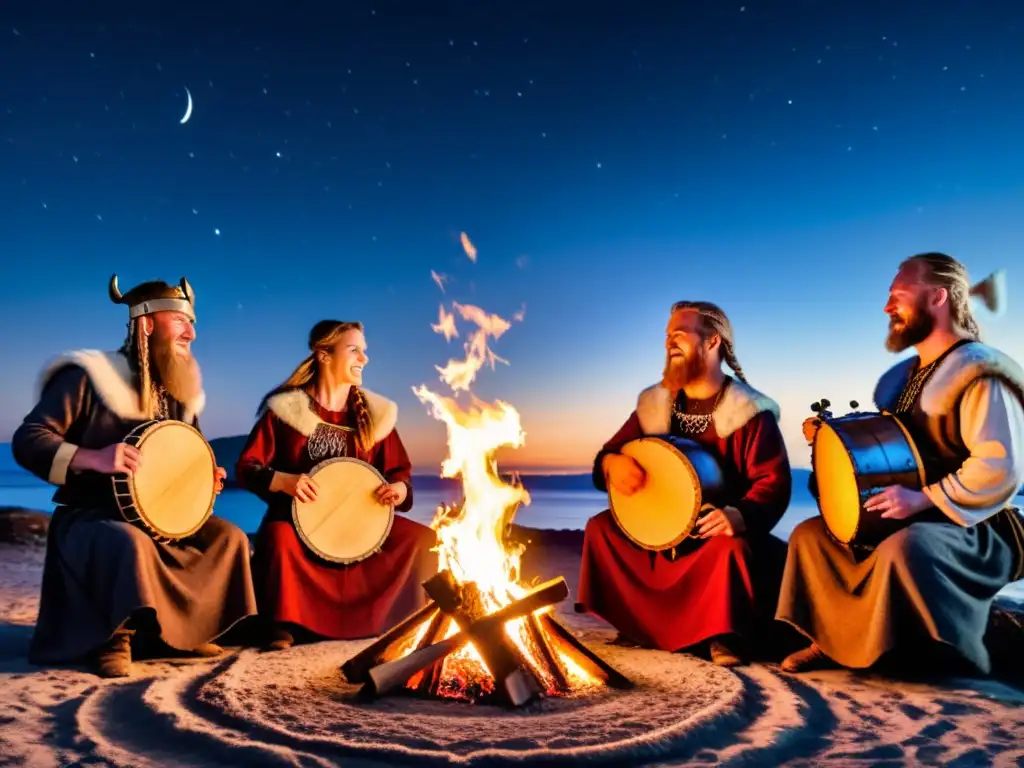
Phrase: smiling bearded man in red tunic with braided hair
(713,589)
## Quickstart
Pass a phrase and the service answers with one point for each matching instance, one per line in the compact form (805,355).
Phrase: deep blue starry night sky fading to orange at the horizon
(606,160)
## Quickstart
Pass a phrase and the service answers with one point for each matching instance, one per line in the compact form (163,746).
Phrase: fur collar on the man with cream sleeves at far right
(960,368)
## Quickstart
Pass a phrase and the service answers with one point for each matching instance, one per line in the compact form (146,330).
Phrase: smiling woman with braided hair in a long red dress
(321,412)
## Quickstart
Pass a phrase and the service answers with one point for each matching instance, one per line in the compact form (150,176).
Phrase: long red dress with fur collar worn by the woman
(293,585)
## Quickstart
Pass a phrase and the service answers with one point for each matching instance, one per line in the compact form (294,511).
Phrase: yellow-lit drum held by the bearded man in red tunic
(682,477)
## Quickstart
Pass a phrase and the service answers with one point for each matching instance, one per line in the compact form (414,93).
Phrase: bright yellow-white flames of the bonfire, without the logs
(472,534)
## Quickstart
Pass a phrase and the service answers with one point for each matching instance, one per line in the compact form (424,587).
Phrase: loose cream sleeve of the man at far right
(993,429)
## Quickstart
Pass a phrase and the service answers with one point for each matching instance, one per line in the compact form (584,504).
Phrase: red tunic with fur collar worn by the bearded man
(715,587)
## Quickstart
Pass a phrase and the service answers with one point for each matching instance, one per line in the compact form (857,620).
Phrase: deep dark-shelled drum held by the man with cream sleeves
(855,457)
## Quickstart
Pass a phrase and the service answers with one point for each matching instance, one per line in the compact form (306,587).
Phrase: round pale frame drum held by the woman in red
(346,524)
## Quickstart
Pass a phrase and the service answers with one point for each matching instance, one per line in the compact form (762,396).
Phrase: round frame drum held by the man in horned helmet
(172,494)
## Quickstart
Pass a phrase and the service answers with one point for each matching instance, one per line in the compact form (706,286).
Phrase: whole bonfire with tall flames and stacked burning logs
(486,635)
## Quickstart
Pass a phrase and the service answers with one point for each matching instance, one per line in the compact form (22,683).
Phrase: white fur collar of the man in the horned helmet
(112,378)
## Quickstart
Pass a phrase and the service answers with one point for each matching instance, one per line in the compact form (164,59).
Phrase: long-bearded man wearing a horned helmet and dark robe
(107,583)
